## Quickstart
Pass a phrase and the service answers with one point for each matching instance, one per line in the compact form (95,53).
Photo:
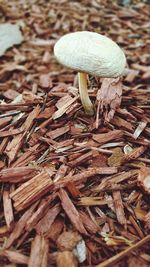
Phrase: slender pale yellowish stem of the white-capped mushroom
(85,100)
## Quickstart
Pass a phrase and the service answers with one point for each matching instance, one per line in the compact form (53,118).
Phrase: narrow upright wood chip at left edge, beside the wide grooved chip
(8,210)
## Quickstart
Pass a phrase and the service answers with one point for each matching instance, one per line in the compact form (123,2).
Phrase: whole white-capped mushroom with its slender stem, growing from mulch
(90,53)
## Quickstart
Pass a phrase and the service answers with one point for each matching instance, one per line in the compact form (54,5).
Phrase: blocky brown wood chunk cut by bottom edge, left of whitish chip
(66,258)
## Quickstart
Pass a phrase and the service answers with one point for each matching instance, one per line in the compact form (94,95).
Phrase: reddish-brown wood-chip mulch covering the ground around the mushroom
(74,189)
